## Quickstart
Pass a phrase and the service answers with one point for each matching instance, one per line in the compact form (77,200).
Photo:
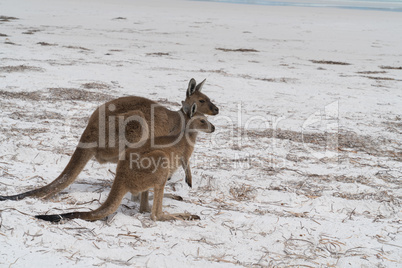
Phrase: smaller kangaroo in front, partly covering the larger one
(147,167)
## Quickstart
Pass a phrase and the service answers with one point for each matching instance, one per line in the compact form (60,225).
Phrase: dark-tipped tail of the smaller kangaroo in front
(111,204)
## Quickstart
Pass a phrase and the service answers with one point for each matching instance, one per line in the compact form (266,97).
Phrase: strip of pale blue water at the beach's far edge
(388,5)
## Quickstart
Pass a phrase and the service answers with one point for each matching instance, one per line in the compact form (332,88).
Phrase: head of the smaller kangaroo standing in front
(196,120)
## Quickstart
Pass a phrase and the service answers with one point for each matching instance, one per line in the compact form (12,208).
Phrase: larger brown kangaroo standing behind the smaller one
(105,139)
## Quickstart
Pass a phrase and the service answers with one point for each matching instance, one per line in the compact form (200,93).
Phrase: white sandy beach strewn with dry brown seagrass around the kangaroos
(304,169)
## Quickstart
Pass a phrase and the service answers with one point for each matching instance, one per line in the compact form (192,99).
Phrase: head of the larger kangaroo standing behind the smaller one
(194,95)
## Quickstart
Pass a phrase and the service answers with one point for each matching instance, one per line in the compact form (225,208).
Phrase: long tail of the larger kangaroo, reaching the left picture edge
(76,164)
